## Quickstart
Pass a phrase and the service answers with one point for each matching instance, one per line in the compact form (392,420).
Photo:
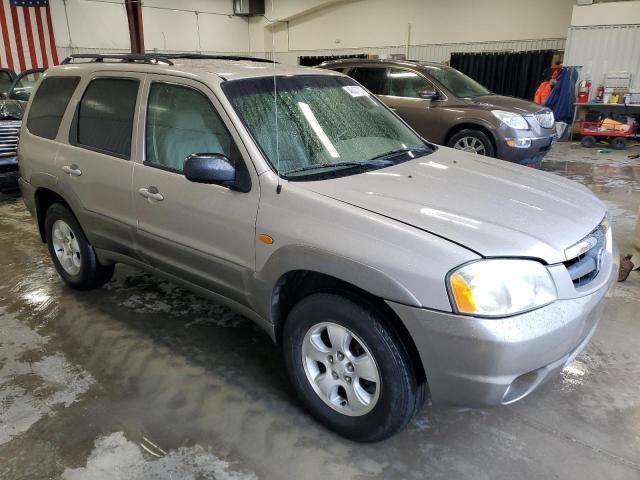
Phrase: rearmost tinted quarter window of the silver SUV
(48,106)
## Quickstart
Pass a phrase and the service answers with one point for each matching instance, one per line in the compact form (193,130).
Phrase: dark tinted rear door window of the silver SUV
(105,116)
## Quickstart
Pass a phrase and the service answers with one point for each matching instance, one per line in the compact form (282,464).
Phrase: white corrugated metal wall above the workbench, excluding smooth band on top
(602,49)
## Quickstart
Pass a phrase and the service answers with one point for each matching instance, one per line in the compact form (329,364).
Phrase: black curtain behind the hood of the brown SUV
(517,74)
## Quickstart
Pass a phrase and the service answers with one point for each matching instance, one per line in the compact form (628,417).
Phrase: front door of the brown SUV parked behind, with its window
(402,94)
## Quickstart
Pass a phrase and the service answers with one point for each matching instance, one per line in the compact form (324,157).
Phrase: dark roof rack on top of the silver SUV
(156,58)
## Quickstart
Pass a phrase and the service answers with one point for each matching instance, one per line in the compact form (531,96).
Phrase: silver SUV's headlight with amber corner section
(500,287)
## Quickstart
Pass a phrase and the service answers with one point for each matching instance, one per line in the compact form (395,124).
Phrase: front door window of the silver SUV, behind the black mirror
(181,121)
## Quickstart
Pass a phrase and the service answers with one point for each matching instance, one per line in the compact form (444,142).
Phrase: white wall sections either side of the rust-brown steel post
(188,25)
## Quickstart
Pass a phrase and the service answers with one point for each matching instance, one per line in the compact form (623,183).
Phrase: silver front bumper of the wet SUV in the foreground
(479,362)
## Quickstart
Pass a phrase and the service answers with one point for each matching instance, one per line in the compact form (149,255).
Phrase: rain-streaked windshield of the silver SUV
(325,124)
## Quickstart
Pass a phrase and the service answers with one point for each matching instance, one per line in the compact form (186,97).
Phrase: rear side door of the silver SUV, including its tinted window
(96,164)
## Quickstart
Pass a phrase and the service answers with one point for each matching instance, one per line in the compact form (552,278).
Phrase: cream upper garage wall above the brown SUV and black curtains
(437,27)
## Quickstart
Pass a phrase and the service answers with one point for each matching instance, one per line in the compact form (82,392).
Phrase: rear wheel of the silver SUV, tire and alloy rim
(68,244)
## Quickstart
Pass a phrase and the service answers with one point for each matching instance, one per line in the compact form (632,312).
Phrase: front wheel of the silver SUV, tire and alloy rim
(395,397)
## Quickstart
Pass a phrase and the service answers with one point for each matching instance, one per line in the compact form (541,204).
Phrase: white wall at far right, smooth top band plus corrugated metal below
(605,38)
